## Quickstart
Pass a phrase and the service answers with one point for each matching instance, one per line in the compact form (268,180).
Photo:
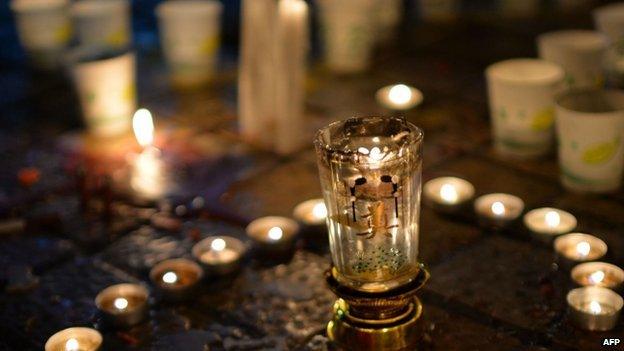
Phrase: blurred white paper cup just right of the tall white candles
(348,29)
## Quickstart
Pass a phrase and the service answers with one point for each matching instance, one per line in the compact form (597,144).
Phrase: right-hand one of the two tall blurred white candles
(291,50)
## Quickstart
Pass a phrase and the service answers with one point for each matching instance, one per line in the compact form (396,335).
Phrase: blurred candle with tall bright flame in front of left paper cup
(148,178)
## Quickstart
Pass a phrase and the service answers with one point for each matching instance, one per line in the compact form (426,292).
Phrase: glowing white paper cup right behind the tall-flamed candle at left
(106,86)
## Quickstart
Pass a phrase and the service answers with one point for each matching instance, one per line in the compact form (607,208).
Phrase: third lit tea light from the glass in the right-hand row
(549,221)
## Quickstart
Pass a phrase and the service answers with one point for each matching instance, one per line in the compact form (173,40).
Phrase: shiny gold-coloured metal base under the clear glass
(389,320)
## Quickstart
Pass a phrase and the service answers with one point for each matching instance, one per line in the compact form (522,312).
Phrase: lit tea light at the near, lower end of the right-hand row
(594,308)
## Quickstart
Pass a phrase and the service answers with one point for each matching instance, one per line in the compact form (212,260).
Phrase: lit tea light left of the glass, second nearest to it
(273,234)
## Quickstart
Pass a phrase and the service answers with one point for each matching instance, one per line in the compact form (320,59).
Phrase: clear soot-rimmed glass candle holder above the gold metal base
(370,170)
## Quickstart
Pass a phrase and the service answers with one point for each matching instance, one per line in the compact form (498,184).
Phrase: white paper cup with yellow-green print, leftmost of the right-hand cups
(521,96)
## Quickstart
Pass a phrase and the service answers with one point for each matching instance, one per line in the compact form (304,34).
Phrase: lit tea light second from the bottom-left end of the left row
(123,305)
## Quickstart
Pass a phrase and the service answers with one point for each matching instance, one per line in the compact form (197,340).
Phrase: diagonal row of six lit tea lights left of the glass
(125,305)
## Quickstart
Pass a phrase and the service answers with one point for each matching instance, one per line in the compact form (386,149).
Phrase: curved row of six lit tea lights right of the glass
(593,306)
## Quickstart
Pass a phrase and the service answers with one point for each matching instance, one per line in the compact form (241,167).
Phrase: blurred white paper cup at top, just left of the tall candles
(190,36)
